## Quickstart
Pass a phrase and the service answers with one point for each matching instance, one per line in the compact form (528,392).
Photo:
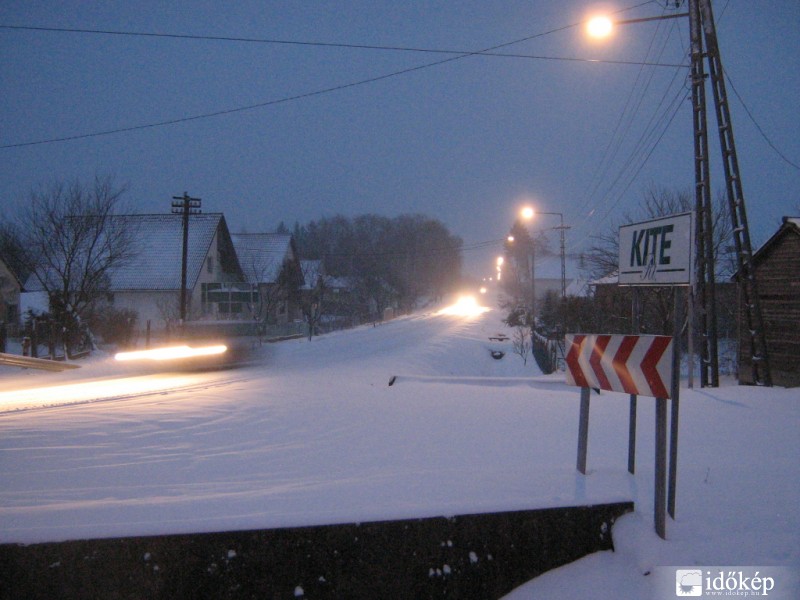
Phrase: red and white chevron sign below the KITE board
(633,364)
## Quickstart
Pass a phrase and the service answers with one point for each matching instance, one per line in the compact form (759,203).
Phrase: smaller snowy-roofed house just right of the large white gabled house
(271,266)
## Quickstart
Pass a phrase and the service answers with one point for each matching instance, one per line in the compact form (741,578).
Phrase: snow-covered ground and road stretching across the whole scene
(311,433)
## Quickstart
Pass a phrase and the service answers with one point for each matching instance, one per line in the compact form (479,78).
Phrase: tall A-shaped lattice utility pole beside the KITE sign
(702,29)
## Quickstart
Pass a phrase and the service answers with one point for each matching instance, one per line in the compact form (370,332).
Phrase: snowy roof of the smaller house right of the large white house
(261,255)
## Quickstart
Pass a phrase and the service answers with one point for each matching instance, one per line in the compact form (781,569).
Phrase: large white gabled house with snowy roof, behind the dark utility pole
(149,282)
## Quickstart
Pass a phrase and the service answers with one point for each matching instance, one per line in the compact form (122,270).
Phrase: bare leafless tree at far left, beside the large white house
(72,244)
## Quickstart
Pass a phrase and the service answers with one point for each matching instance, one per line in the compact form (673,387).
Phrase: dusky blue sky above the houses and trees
(354,117)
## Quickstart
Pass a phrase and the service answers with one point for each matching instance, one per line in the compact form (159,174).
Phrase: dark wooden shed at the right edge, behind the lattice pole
(778,279)
